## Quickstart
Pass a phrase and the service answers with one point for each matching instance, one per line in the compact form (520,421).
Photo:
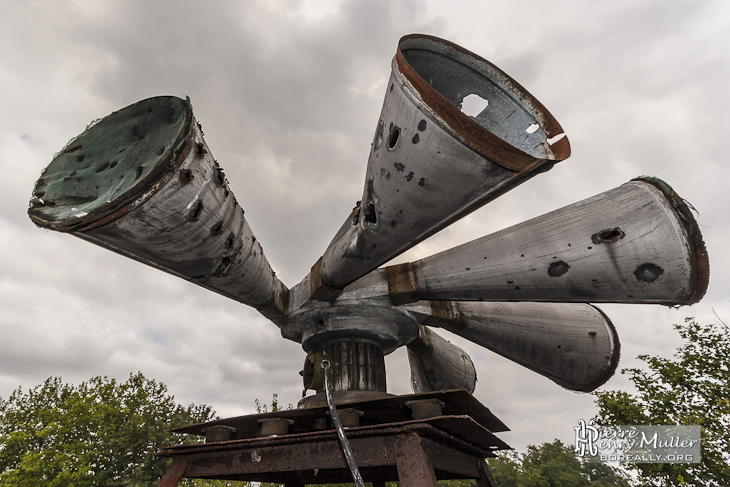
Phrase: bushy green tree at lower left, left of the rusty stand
(99,433)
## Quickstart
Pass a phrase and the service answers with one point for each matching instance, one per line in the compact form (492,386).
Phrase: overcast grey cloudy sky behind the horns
(289,94)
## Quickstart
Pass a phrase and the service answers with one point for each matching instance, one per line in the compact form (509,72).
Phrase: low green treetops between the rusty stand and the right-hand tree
(553,465)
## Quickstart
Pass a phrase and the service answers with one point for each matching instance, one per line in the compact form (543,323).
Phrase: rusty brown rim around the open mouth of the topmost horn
(471,133)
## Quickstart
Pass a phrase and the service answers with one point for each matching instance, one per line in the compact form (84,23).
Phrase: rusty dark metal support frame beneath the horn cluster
(416,452)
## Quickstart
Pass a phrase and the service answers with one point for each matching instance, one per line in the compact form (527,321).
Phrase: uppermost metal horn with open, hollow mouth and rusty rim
(433,160)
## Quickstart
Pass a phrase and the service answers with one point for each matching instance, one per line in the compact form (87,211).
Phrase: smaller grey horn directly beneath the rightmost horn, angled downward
(572,344)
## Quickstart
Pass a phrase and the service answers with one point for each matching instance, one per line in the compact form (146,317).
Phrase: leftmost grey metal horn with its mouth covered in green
(142,182)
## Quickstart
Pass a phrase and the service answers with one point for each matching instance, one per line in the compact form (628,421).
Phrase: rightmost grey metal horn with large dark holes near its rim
(637,243)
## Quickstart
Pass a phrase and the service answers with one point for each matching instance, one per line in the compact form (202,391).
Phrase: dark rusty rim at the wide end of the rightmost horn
(699,260)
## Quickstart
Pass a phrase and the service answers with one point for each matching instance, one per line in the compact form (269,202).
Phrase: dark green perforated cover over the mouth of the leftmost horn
(112,163)
